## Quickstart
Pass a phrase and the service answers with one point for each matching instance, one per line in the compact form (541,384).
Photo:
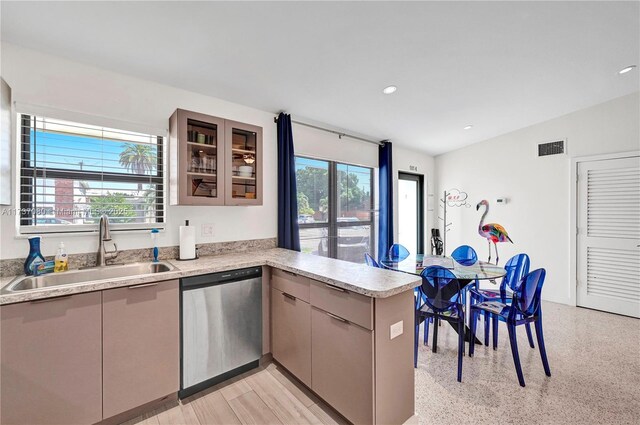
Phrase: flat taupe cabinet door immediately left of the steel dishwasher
(141,355)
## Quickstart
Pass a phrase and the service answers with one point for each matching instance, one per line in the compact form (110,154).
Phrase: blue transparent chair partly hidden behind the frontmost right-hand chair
(516,268)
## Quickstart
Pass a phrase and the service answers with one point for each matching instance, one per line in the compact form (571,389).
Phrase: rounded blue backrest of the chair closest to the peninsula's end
(440,288)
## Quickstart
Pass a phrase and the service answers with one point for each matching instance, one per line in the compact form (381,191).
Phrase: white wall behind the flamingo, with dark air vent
(538,215)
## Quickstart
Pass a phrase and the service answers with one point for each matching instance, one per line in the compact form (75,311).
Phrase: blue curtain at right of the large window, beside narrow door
(385,218)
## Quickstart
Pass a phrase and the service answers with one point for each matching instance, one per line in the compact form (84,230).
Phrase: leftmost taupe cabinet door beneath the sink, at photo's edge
(51,355)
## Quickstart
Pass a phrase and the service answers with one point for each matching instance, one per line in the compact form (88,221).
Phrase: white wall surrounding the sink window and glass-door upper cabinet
(52,82)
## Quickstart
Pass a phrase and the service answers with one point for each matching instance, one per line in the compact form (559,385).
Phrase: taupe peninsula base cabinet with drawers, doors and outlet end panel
(339,343)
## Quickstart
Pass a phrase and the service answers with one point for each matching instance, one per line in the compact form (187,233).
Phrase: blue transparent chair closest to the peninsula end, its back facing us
(442,301)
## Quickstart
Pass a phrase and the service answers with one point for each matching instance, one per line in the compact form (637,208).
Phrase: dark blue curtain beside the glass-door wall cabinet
(288,232)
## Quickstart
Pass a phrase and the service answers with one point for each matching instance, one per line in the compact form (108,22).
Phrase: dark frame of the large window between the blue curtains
(332,225)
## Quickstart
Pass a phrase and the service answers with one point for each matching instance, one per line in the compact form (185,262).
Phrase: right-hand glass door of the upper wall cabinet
(243,165)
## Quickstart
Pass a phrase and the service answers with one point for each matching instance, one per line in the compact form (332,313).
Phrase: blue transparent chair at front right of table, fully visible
(524,308)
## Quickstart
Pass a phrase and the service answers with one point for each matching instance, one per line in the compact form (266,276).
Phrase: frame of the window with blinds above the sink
(27,175)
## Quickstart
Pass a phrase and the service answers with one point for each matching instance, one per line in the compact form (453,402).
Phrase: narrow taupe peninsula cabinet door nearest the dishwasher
(291,334)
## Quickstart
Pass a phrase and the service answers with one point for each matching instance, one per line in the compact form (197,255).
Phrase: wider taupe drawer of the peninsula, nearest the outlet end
(354,307)
